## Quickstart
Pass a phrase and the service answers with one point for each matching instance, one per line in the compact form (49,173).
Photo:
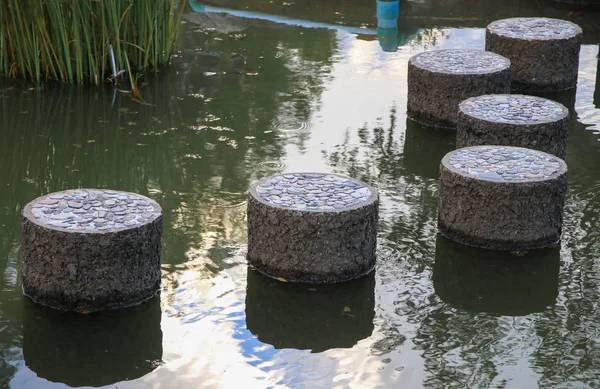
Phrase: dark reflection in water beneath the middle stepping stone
(307,316)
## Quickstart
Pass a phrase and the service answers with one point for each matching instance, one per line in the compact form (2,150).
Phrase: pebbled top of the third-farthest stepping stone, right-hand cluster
(514,109)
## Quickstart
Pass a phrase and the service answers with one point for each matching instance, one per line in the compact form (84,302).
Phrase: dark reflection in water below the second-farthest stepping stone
(424,148)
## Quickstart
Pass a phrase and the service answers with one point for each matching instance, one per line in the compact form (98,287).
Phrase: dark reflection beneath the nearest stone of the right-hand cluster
(494,281)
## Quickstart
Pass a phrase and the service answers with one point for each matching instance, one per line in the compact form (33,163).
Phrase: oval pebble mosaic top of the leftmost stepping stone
(92,210)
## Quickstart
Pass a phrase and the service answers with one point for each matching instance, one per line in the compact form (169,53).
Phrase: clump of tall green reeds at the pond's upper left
(70,40)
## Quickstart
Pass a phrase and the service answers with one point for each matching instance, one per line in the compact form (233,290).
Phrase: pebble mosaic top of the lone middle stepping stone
(312,191)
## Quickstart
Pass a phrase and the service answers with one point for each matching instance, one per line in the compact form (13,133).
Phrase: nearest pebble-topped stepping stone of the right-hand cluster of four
(502,197)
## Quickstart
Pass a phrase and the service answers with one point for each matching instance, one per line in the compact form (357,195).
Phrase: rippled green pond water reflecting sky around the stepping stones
(272,87)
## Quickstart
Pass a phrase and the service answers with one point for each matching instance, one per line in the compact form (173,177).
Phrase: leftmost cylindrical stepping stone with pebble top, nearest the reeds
(91,249)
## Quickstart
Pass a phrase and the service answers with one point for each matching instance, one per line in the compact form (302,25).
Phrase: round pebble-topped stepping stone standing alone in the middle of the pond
(312,227)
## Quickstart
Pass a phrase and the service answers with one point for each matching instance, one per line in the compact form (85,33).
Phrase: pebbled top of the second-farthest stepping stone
(461,61)
